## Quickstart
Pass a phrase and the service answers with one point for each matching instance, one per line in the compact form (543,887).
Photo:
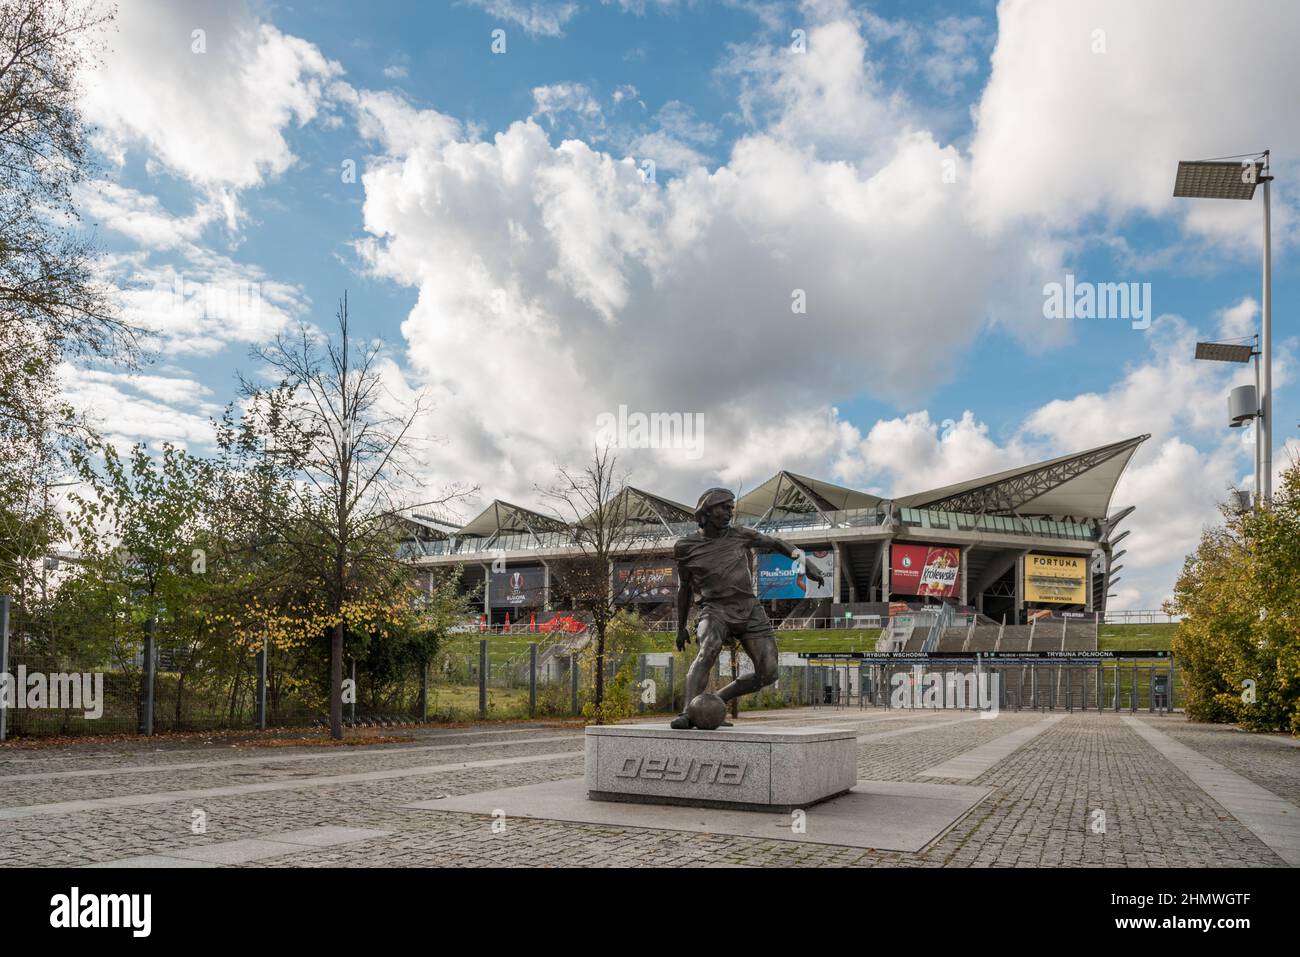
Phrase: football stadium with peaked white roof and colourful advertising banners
(970,566)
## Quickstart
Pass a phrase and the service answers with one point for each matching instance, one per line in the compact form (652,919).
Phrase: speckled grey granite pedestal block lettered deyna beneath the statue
(773,770)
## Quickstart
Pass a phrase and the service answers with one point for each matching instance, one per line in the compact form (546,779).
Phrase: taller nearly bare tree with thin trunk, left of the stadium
(352,444)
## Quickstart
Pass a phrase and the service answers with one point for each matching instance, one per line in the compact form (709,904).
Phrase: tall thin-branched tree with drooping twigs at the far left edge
(53,302)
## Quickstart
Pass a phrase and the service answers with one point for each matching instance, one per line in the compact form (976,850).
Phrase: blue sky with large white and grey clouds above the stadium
(918,171)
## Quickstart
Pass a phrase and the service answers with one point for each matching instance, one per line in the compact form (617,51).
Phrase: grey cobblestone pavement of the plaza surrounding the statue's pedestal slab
(1087,791)
